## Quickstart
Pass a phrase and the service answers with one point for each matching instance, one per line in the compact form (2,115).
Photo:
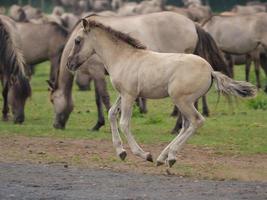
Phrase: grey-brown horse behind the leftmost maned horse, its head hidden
(41,42)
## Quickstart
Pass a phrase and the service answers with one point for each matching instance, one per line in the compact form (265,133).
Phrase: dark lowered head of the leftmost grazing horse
(18,93)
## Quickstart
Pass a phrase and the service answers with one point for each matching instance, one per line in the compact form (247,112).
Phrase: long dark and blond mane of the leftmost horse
(12,61)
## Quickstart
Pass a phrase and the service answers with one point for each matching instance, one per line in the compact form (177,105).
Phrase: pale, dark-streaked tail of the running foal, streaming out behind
(230,87)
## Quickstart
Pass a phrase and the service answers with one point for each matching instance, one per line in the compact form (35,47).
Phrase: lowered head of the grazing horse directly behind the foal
(62,107)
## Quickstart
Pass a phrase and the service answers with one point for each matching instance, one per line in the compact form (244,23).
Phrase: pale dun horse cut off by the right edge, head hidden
(240,34)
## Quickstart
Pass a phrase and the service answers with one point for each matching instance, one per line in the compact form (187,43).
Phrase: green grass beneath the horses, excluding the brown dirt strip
(240,128)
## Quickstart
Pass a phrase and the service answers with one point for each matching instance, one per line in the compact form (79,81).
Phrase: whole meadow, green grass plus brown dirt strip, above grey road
(232,144)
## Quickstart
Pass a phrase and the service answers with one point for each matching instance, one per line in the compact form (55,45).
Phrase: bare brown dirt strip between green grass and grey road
(201,163)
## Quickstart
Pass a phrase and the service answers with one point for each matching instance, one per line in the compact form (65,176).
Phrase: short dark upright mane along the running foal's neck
(118,34)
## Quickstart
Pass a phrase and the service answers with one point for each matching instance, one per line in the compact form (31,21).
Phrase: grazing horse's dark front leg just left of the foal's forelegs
(101,119)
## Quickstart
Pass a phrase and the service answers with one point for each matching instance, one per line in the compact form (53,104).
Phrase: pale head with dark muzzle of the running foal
(82,48)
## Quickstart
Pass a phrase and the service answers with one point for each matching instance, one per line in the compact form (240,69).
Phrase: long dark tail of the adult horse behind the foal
(208,49)
